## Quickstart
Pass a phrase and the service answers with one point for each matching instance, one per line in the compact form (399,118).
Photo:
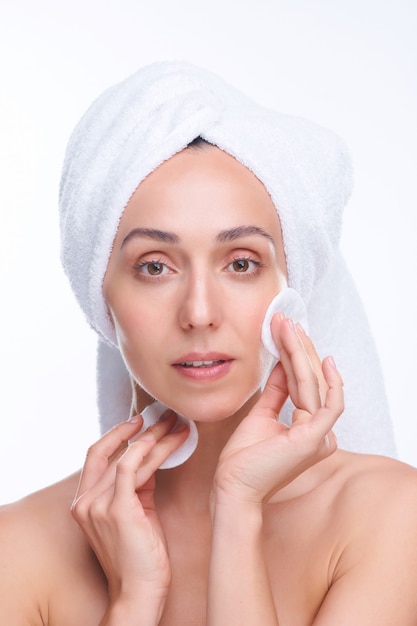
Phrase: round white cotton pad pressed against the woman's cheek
(289,302)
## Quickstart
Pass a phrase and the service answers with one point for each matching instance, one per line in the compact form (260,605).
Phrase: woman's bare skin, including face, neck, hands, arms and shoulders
(264,524)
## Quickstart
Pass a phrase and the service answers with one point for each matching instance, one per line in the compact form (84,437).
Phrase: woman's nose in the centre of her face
(201,302)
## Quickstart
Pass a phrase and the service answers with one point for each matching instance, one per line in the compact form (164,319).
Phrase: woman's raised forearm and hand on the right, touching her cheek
(262,457)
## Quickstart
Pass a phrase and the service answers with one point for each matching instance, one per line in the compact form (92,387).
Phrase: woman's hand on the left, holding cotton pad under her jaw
(114,506)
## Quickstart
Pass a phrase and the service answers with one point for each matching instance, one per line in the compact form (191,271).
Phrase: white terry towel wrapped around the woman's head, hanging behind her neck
(136,125)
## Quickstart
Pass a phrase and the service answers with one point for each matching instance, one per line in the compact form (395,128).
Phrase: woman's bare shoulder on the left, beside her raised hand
(40,546)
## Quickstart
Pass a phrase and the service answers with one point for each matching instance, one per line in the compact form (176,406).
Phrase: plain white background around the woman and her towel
(349,65)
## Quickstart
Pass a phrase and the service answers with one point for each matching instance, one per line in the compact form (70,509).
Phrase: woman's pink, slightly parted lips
(220,367)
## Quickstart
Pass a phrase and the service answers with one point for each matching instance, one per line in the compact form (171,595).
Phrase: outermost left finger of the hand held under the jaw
(100,453)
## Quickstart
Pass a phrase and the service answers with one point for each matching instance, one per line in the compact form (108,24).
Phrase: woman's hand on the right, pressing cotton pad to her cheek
(263,455)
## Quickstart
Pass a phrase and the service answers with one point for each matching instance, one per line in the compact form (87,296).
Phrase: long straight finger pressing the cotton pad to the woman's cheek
(302,381)
